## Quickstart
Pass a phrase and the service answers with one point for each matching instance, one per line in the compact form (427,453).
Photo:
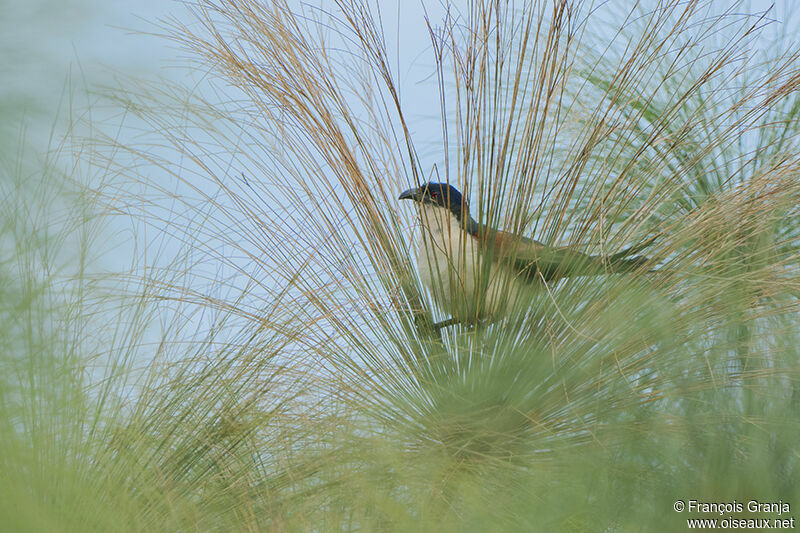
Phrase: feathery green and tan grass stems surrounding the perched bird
(272,377)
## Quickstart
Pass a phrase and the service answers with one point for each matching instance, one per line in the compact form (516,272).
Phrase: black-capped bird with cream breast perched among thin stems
(478,274)
